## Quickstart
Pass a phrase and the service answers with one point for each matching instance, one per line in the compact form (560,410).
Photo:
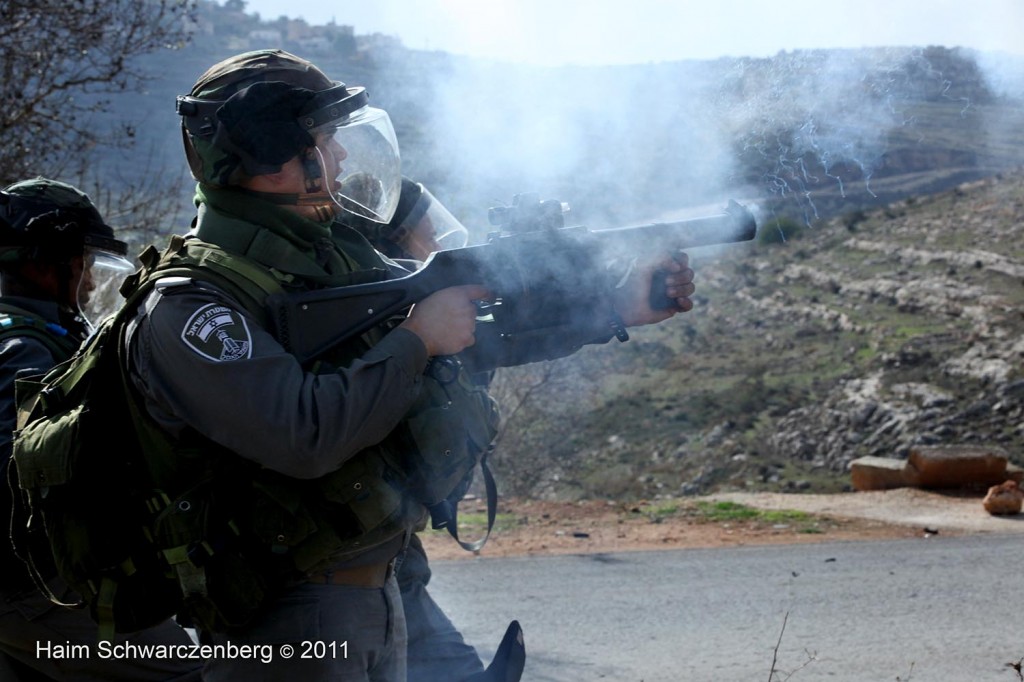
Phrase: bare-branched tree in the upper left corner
(63,62)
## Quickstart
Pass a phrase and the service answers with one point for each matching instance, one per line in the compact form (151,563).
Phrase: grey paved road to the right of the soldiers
(942,610)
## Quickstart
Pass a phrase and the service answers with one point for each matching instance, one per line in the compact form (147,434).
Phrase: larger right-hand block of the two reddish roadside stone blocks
(960,466)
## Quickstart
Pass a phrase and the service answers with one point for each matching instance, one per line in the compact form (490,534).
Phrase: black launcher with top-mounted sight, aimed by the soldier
(546,279)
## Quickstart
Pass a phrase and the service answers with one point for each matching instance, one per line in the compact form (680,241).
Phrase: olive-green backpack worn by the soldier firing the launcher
(80,471)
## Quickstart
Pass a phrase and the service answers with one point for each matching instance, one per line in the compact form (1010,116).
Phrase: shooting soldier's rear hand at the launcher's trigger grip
(446,321)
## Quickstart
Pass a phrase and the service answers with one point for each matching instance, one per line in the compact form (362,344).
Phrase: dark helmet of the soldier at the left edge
(52,221)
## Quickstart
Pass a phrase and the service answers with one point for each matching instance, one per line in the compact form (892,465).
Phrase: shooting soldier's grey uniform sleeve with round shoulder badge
(202,363)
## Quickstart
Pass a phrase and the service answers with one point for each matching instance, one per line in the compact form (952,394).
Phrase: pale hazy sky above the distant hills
(589,32)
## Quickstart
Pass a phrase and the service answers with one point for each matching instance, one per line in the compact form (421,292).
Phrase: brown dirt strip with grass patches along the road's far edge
(533,528)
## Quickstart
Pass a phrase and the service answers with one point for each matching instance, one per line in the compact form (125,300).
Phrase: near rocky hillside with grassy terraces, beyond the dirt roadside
(864,335)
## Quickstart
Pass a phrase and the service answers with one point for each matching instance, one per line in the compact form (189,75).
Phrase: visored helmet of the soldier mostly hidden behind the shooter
(421,226)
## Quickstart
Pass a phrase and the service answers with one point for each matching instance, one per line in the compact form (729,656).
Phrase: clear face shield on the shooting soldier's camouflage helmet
(361,164)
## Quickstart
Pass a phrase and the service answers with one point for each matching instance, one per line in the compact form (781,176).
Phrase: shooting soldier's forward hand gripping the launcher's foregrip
(633,299)
